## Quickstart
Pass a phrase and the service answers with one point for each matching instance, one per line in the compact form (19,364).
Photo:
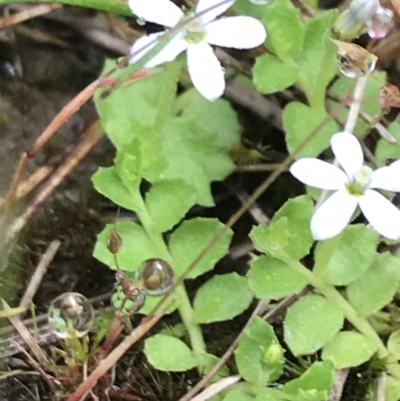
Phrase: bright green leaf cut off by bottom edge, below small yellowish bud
(313,385)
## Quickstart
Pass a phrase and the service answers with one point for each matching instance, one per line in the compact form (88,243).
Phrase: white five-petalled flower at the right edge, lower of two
(354,186)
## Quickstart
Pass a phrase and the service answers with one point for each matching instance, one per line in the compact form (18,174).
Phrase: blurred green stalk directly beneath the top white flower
(167,95)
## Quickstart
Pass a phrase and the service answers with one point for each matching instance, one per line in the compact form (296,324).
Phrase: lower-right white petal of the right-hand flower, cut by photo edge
(381,213)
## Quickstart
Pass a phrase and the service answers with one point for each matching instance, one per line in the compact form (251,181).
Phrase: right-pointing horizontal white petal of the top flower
(238,32)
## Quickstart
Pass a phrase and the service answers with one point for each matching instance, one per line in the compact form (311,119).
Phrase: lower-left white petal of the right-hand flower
(333,215)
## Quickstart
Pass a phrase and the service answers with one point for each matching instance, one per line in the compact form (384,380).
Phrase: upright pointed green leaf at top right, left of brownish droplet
(317,61)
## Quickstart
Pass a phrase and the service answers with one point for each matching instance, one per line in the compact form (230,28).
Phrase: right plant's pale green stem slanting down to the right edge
(360,323)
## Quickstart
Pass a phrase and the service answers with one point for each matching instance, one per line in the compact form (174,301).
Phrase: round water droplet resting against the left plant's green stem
(155,277)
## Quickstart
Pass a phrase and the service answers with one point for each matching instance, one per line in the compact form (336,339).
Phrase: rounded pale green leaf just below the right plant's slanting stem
(310,323)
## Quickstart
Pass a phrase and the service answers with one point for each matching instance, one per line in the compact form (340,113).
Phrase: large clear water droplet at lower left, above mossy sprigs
(70,315)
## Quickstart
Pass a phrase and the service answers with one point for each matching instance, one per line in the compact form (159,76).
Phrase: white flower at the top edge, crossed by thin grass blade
(195,37)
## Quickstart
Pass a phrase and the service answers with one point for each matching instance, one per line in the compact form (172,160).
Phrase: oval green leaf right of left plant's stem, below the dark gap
(221,298)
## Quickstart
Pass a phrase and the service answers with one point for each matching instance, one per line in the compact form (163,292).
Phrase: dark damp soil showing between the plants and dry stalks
(38,76)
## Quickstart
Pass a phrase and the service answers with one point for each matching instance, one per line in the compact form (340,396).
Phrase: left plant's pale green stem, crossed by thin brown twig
(185,307)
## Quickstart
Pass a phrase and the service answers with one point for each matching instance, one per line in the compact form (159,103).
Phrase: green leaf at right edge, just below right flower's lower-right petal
(377,287)
